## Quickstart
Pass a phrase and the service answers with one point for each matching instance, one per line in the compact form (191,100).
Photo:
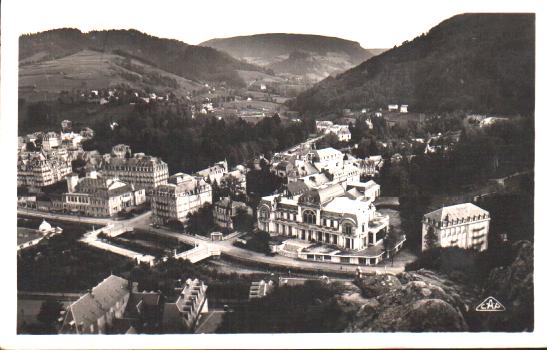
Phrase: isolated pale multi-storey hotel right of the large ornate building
(462,225)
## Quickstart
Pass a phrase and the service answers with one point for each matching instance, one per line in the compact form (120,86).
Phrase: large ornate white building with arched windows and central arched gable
(327,214)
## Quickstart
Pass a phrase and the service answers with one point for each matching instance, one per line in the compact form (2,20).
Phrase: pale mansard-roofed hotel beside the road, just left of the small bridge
(181,195)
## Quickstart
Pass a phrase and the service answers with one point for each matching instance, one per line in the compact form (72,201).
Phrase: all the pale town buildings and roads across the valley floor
(327,214)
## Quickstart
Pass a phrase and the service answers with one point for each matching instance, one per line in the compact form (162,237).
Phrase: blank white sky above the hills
(374,24)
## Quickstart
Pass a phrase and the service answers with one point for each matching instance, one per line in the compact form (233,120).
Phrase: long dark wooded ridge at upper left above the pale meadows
(188,61)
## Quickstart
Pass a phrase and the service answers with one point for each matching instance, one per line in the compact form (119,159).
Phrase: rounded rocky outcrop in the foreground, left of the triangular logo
(412,302)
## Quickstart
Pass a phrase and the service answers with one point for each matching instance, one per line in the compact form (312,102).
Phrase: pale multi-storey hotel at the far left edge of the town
(39,170)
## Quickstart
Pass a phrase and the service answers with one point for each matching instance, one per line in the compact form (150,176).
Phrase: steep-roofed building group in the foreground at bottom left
(115,306)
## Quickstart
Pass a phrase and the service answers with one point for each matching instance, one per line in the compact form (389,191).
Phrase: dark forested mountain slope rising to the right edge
(479,62)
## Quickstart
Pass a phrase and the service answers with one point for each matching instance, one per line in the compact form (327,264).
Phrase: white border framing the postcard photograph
(8,125)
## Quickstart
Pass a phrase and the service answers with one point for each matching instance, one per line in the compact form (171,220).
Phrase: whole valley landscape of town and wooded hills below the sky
(246,197)
